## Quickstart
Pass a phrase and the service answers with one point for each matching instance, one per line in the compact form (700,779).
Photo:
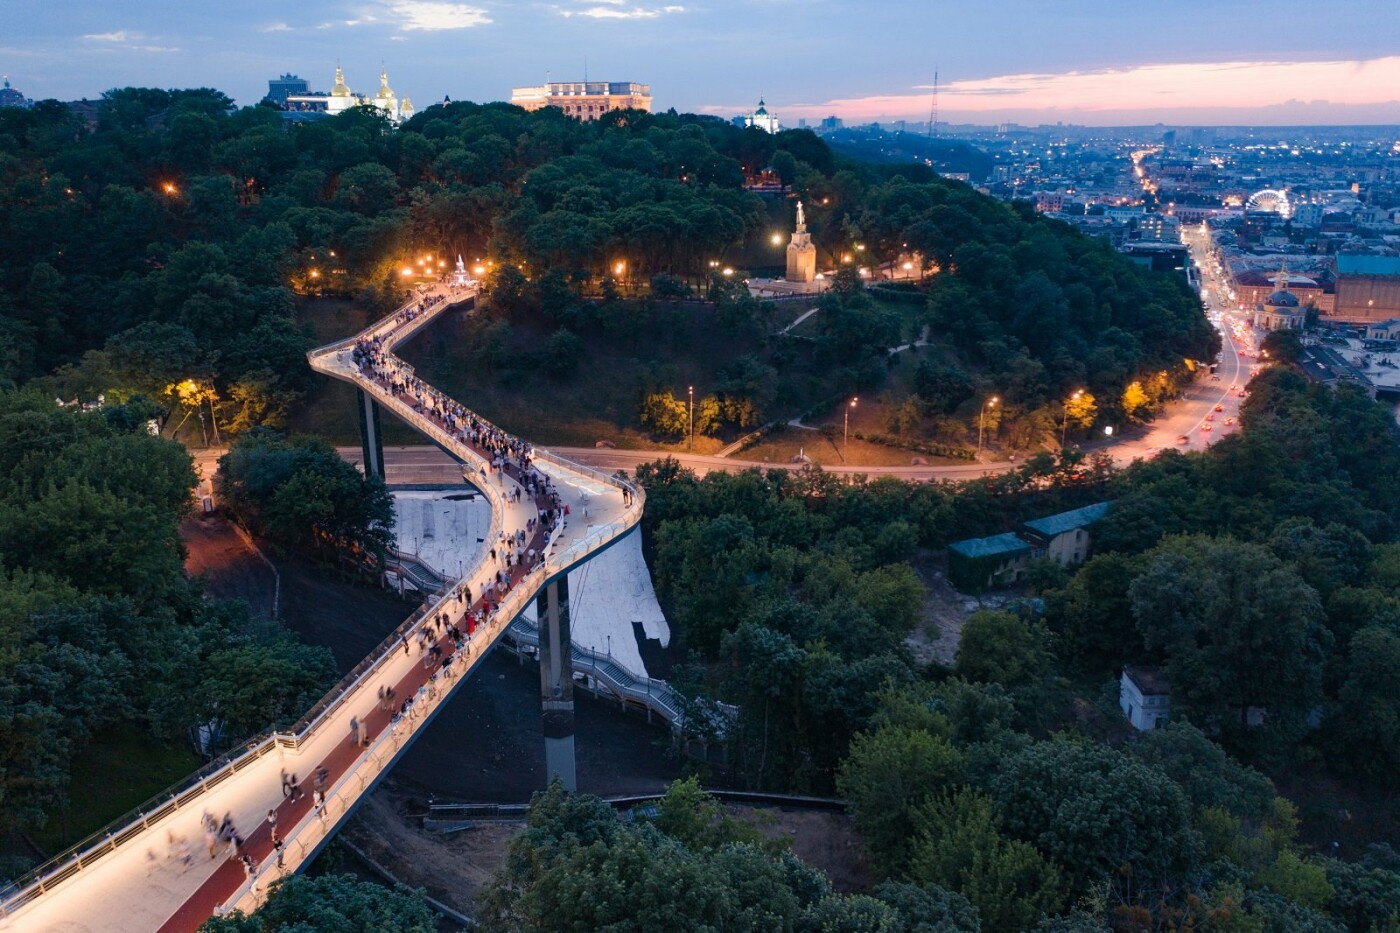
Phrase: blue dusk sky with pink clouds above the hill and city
(1027,61)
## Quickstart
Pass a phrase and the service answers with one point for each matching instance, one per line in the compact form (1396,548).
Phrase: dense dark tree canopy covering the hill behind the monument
(166,250)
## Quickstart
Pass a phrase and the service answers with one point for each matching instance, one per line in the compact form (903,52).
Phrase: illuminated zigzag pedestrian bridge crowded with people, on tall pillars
(153,872)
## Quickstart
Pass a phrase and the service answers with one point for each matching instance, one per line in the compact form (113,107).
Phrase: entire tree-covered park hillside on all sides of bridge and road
(169,267)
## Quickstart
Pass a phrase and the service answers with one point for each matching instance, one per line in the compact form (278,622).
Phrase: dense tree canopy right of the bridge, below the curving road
(1262,578)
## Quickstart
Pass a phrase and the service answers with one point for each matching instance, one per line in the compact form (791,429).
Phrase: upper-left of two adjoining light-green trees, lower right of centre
(884,780)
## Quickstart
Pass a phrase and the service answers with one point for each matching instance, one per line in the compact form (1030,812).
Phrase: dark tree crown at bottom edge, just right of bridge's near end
(331,904)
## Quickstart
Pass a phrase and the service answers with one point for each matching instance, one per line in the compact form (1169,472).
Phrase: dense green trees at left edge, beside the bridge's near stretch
(99,623)
